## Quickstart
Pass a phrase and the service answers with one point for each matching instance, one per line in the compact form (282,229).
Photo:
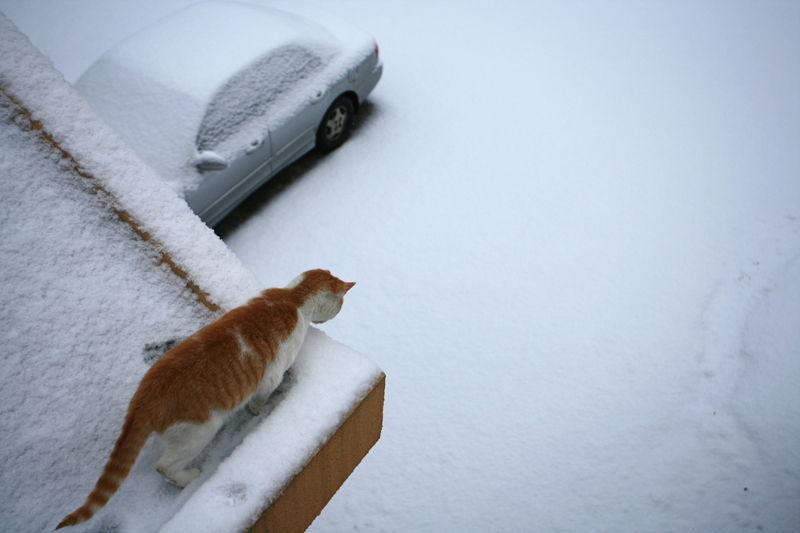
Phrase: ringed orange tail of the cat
(129,443)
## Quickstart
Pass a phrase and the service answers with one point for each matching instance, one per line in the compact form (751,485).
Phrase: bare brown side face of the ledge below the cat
(307,494)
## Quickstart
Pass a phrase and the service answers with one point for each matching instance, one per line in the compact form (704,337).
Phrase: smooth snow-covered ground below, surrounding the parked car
(575,228)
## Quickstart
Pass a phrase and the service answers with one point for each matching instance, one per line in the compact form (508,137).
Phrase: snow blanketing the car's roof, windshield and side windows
(213,76)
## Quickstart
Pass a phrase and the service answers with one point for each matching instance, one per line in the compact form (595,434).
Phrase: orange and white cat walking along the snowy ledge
(192,389)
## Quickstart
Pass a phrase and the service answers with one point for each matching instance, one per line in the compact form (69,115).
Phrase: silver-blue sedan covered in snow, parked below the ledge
(220,96)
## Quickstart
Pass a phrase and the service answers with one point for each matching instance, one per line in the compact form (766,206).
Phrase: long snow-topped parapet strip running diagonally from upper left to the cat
(131,188)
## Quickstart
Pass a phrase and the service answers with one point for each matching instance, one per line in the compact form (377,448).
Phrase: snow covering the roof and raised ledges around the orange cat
(84,299)
